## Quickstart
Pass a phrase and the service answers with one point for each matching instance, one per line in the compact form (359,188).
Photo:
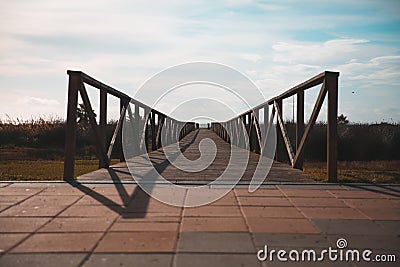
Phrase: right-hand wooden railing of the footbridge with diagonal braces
(329,81)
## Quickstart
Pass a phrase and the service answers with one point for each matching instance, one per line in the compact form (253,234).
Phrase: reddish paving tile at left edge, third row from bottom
(21,224)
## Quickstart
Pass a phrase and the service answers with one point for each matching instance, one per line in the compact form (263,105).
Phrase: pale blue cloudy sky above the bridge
(276,44)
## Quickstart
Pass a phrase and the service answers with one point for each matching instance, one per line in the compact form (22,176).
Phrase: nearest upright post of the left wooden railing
(75,81)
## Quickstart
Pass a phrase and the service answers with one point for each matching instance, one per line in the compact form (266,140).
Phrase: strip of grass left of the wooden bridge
(40,170)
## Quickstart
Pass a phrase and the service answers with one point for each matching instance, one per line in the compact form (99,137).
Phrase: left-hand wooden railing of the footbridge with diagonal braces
(152,127)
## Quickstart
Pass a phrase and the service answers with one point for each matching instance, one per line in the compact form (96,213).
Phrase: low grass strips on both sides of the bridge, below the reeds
(348,172)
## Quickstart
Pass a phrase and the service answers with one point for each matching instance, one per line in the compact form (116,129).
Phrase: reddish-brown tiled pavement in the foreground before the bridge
(57,224)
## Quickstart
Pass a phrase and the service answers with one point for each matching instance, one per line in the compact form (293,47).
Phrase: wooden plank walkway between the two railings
(190,146)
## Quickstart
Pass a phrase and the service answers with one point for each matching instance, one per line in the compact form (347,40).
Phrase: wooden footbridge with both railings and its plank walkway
(155,123)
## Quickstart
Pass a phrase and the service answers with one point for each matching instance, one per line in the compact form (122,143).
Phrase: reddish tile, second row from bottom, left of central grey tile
(138,242)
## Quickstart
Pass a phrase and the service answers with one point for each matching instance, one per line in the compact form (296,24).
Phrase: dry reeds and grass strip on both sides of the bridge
(34,150)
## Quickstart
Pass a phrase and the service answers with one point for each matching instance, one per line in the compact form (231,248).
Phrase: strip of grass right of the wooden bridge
(358,171)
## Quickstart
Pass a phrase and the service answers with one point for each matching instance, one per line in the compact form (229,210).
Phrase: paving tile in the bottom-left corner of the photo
(42,259)
